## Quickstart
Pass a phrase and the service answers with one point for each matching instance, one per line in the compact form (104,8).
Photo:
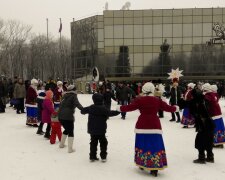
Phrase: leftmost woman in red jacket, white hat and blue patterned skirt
(31,104)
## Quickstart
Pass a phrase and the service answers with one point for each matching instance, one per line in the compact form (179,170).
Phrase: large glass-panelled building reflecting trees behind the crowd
(148,43)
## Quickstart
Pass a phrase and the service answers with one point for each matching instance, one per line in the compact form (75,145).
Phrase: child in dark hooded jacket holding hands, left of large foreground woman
(98,115)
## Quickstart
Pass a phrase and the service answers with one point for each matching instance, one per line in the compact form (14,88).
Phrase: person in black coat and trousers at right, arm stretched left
(204,126)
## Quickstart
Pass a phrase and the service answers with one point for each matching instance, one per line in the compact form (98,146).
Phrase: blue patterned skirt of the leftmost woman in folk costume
(32,113)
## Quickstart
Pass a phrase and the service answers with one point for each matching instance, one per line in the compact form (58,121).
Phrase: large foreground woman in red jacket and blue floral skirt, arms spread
(150,152)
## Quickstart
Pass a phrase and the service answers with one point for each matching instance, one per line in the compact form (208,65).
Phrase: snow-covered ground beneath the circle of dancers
(24,155)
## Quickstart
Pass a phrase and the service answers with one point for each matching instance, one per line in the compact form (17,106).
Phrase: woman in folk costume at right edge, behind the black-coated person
(212,99)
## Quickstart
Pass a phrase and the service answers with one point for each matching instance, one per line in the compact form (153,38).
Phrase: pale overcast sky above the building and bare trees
(35,12)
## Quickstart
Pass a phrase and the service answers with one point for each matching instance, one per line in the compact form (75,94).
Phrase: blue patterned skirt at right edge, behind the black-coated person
(219,131)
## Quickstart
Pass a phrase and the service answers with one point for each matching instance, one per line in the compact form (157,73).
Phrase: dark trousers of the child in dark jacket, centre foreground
(94,143)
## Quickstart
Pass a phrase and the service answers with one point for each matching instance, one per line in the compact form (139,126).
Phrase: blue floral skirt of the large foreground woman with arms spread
(150,152)
